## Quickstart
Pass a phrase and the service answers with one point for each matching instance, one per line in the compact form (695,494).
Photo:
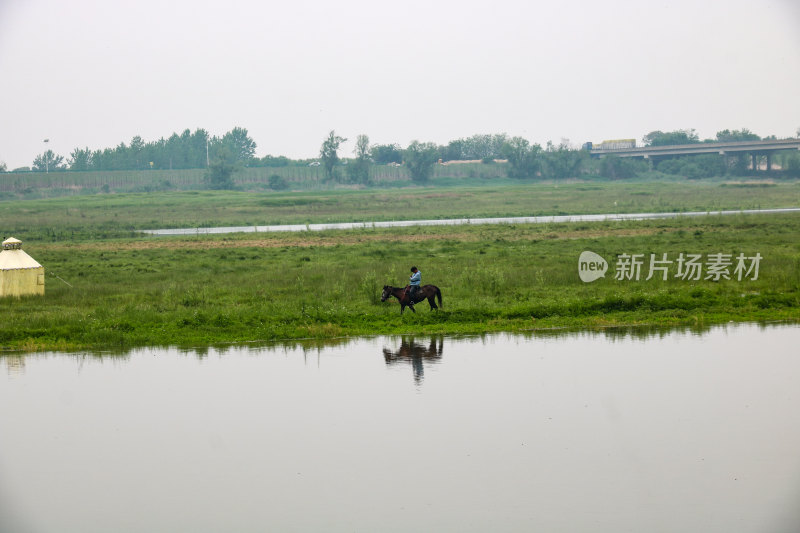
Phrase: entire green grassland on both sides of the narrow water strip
(196,291)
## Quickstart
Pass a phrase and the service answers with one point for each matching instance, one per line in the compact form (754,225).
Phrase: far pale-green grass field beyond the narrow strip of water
(104,216)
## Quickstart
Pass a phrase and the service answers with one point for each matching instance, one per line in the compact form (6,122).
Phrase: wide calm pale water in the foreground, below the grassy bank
(583,432)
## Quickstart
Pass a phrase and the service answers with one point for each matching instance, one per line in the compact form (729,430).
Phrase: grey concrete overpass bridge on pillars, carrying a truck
(754,148)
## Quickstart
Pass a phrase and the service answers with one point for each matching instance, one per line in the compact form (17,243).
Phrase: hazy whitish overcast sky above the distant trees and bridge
(96,73)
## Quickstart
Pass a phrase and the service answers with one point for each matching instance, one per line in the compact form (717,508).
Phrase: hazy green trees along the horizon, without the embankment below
(224,156)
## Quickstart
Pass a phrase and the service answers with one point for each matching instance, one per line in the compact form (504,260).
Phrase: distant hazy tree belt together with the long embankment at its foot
(229,162)
